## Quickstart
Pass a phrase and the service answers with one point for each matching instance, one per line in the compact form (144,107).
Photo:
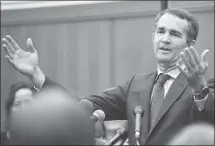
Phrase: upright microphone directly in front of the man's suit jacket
(138,112)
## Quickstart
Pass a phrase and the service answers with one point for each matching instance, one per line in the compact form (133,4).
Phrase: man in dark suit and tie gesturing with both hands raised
(173,96)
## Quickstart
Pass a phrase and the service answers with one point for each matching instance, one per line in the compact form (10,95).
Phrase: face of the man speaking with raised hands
(169,39)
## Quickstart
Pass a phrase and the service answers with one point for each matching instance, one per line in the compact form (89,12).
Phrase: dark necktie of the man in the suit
(157,97)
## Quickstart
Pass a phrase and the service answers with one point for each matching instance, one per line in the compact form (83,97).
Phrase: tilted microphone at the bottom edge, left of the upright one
(120,132)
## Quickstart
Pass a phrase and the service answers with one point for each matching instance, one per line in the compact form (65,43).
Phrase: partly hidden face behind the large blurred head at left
(22,97)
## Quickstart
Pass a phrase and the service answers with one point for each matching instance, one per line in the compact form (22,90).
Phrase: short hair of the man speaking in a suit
(193,26)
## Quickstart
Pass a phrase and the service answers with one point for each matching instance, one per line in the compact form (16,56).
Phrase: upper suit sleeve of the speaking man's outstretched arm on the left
(112,101)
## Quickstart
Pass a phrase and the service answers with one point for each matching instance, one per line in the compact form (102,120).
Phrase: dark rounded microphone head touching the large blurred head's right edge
(87,105)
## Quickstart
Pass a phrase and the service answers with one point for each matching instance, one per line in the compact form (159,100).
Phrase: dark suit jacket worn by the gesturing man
(178,110)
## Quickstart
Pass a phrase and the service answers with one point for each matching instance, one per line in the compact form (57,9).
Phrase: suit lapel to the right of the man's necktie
(173,94)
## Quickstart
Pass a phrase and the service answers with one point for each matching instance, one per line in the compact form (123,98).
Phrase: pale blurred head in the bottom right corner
(196,134)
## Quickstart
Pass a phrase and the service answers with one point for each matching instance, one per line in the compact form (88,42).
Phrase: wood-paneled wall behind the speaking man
(90,48)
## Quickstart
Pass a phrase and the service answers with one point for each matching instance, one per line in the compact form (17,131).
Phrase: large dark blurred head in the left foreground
(52,118)
